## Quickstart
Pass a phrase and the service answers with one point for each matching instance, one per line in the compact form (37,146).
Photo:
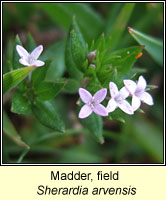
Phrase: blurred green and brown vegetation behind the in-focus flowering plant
(139,140)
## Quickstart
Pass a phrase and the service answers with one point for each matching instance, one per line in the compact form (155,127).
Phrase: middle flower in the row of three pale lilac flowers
(118,100)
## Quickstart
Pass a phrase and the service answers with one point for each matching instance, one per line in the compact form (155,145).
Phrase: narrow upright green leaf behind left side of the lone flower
(16,57)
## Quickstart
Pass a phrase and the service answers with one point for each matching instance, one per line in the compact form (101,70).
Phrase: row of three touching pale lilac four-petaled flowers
(117,100)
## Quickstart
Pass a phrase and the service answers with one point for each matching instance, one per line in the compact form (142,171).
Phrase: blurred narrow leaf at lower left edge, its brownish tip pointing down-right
(11,132)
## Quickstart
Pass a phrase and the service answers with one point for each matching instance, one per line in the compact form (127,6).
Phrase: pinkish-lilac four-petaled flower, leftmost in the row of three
(92,103)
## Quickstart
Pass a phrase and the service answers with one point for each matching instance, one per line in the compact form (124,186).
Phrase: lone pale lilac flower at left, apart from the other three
(30,59)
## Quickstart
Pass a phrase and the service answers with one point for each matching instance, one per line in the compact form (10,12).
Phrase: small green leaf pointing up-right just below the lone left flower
(39,74)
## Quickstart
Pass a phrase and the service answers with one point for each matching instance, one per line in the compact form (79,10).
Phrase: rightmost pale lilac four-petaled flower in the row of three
(138,92)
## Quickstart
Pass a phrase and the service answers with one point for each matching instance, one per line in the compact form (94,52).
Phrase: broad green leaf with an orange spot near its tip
(118,66)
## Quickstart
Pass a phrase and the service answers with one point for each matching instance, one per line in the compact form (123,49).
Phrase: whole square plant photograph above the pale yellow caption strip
(82,83)
